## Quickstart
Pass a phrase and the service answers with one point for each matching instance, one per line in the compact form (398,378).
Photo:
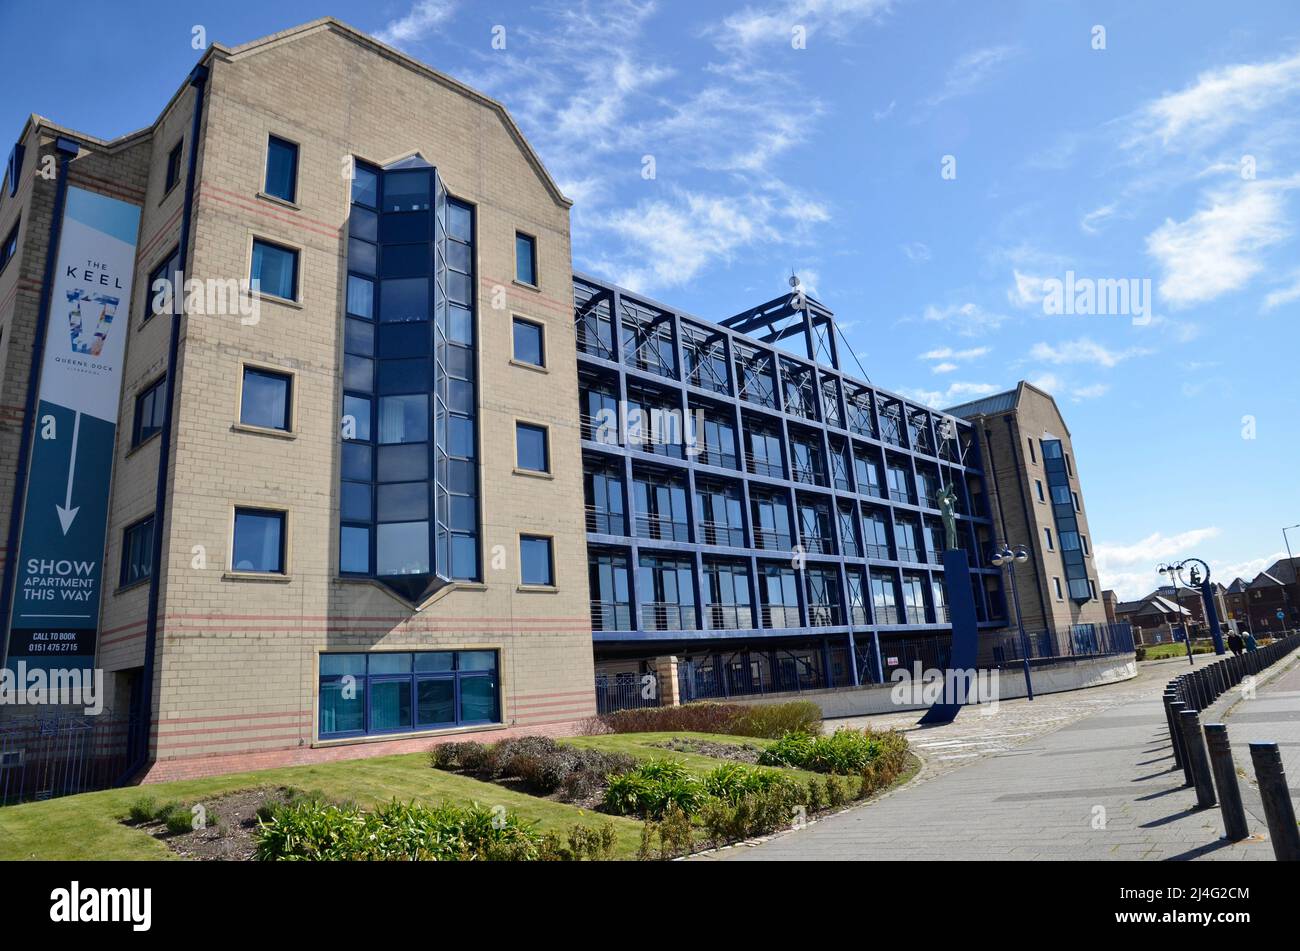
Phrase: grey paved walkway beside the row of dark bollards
(1086,775)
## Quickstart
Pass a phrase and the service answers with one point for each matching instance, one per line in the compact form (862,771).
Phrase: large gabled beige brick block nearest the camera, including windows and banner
(345,549)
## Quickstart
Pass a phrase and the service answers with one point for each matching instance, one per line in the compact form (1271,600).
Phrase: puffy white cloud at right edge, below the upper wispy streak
(1217,249)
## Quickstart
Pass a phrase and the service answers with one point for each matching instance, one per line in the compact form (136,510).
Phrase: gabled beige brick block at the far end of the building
(1037,501)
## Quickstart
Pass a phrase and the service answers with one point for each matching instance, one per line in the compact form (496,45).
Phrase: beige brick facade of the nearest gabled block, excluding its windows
(237,657)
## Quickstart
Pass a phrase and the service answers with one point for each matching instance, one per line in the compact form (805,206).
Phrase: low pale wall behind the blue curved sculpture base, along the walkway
(1048,679)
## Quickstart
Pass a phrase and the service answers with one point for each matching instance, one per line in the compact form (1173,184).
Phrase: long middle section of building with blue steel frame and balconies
(760,520)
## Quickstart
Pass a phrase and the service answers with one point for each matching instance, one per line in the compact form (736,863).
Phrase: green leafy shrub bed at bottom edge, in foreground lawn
(319,832)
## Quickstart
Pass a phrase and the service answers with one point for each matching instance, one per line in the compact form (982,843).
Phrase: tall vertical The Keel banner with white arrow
(60,571)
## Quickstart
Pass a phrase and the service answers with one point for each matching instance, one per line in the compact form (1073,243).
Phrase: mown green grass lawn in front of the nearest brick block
(89,827)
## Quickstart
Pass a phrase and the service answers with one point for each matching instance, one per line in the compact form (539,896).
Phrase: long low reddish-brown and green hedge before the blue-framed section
(742,720)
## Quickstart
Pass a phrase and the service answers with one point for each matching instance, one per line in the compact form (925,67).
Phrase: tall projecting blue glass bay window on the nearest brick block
(409,513)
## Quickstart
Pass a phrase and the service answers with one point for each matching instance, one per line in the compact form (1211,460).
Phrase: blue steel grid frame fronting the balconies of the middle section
(916,445)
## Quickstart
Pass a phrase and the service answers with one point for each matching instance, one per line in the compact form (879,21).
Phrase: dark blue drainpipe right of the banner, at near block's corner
(141,739)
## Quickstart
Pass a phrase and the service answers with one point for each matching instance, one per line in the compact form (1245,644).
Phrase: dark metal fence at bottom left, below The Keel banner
(49,757)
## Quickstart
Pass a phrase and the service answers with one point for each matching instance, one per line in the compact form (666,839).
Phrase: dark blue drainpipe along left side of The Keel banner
(67,150)
